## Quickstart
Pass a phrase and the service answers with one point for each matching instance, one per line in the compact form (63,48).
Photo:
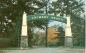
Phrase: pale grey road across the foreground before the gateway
(47,50)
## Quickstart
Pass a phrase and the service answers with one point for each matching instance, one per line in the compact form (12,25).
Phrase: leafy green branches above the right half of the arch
(67,7)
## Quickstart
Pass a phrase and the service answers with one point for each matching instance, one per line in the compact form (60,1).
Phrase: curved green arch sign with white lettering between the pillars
(49,17)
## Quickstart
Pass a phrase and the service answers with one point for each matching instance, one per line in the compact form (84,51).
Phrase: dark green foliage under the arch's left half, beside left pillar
(38,23)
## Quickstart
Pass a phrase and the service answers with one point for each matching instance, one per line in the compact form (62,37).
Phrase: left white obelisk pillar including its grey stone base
(24,35)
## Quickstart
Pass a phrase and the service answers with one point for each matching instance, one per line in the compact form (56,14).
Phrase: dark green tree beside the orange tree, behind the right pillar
(61,34)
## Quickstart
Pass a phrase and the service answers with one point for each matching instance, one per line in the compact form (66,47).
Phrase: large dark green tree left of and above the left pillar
(13,10)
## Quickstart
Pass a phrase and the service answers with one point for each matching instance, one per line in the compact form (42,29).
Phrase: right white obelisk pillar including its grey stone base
(68,33)
